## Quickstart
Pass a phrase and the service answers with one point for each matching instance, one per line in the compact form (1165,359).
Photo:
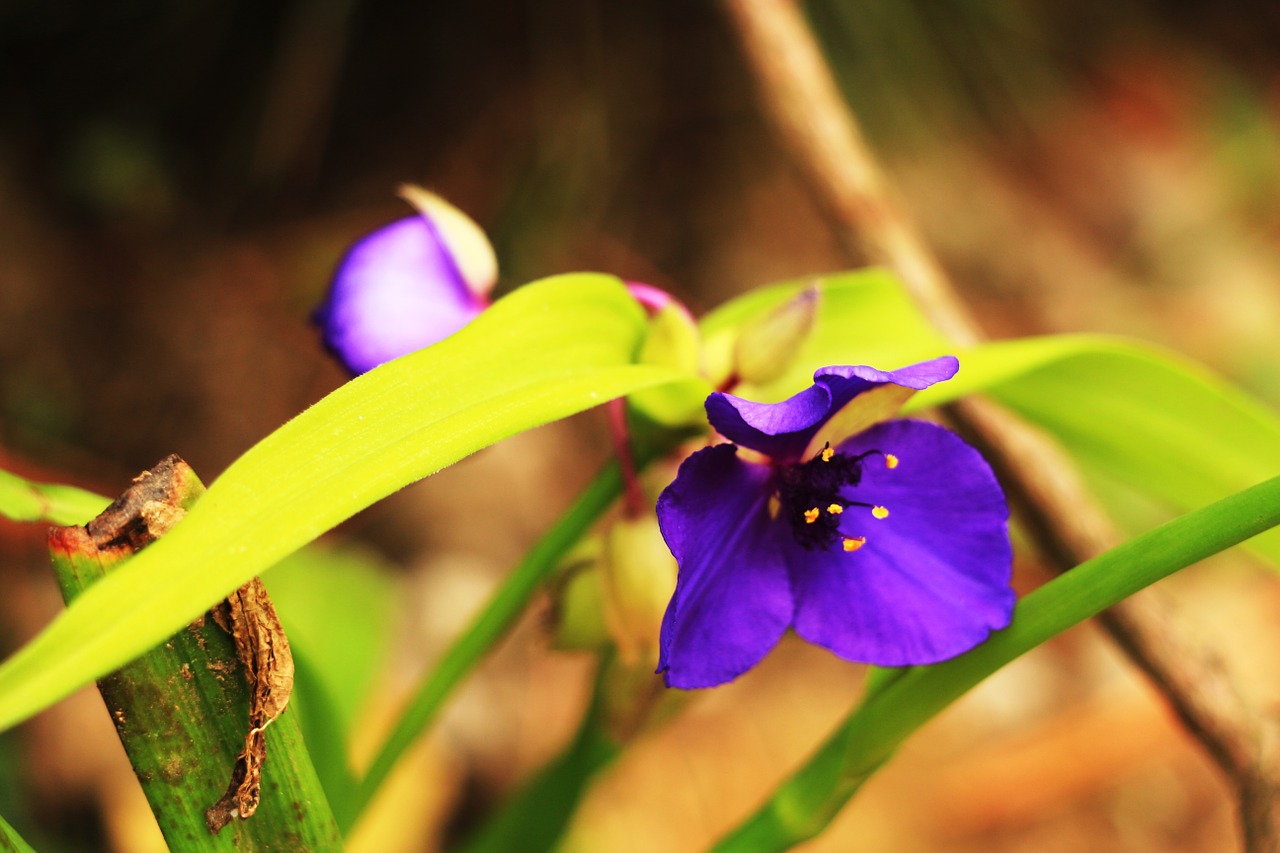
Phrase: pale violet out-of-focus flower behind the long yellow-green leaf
(408,285)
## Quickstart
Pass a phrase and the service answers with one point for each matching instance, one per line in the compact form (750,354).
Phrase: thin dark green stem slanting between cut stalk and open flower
(488,628)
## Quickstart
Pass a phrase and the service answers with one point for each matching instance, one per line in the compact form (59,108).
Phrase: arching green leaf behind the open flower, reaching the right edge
(1132,413)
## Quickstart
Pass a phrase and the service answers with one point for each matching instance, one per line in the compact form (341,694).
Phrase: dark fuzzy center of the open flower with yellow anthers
(808,498)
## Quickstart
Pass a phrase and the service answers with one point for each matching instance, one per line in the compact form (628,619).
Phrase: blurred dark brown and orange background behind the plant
(179,180)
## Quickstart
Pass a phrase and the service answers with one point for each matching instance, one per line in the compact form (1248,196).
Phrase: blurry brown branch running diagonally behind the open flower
(822,138)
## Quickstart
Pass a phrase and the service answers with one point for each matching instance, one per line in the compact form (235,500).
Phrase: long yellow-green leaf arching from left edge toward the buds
(550,350)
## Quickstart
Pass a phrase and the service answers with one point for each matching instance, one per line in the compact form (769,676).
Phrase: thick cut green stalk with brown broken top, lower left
(182,710)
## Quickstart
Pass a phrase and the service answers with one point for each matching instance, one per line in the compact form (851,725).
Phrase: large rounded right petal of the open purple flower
(931,581)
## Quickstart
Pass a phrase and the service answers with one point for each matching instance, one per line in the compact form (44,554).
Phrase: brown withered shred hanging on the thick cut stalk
(263,649)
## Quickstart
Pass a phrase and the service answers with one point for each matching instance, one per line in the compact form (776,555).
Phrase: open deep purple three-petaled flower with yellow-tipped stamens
(885,542)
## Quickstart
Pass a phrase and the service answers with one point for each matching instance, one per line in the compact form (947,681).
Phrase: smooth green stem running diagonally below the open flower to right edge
(804,805)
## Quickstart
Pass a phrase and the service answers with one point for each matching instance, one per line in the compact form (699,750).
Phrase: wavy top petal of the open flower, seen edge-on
(784,430)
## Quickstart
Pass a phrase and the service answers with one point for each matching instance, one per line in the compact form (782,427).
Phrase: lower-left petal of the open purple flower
(733,599)
